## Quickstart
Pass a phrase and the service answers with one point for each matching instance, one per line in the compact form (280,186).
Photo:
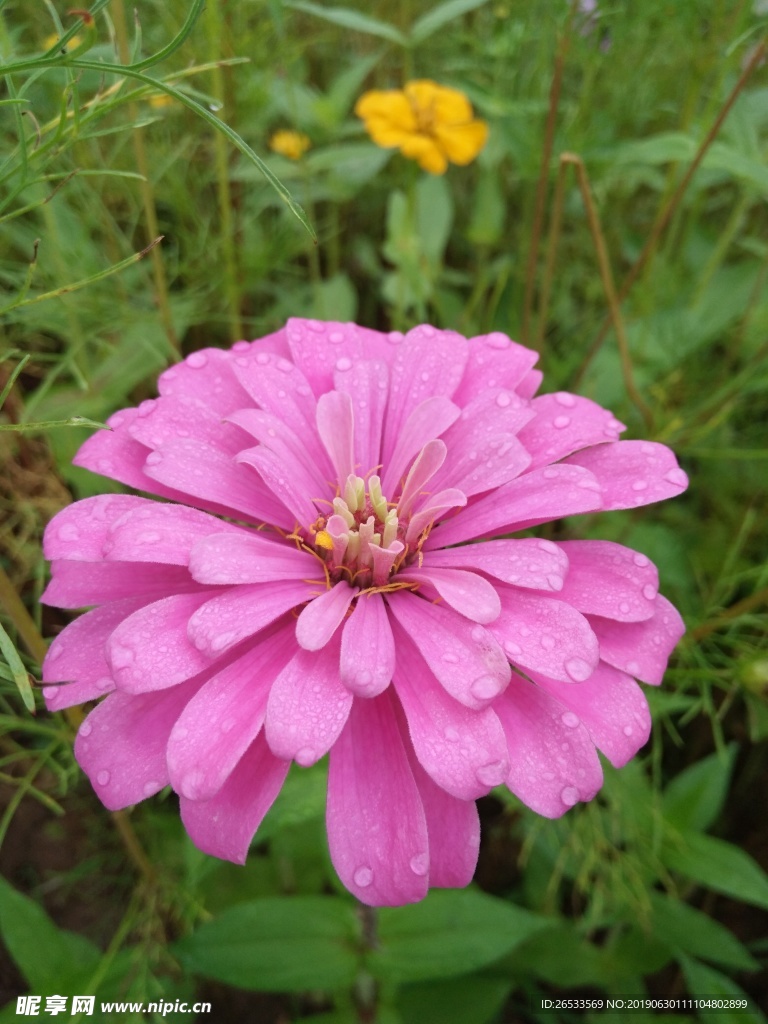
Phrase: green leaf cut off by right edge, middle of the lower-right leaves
(717,865)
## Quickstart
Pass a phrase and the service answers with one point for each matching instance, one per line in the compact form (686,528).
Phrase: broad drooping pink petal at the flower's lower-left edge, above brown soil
(121,745)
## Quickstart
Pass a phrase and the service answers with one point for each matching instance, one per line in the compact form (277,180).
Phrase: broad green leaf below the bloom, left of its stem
(278,945)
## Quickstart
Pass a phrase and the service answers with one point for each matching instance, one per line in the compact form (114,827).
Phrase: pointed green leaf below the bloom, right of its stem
(450,933)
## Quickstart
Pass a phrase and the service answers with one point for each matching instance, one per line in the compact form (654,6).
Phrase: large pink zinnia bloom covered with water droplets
(310,585)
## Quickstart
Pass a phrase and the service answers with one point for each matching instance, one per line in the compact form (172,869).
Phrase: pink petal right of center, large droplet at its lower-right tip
(545,635)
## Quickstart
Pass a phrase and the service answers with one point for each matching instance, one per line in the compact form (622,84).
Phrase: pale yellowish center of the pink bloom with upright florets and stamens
(364,541)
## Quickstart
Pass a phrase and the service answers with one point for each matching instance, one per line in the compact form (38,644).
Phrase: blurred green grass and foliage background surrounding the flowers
(656,887)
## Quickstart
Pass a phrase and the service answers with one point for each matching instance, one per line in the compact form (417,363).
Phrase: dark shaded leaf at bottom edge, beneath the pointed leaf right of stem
(460,1001)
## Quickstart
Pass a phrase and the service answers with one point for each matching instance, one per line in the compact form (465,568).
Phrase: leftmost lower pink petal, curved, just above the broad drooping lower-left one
(78,654)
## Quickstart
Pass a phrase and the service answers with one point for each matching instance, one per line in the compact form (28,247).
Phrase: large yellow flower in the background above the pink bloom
(428,122)
